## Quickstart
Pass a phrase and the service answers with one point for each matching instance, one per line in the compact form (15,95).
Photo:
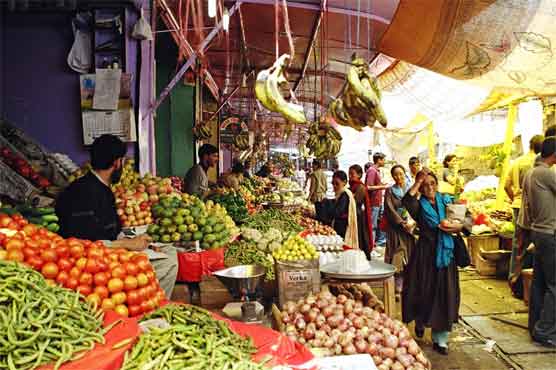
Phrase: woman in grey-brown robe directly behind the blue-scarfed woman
(400,241)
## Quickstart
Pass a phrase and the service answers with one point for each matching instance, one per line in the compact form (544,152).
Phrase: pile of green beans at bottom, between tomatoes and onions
(194,340)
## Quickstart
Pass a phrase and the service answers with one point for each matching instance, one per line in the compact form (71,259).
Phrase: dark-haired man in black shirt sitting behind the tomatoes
(87,209)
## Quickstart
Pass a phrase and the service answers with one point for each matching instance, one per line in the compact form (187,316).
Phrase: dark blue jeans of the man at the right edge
(542,302)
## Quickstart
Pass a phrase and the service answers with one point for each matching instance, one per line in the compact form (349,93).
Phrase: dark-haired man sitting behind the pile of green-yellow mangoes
(196,179)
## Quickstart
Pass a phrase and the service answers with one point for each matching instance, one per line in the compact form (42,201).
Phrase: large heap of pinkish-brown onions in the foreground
(345,326)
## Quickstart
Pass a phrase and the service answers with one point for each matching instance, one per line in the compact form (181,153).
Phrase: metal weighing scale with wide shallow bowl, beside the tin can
(242,282)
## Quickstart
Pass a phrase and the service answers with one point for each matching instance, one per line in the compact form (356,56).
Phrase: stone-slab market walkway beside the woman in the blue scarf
(492,333)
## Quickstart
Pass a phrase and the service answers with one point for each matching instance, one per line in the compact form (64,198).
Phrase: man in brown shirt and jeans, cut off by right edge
(539,195)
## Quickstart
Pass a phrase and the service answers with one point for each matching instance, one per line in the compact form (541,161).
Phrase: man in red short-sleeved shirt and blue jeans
(375,188)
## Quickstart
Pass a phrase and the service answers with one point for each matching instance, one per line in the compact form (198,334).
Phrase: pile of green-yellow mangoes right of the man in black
(186,218)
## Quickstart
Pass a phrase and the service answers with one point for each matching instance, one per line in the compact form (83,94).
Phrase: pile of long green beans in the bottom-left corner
(42,324)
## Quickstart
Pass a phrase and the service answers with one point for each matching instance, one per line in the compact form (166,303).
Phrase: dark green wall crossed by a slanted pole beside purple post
(175,116)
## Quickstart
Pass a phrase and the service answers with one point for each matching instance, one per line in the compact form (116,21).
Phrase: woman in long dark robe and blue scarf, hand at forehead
(431,293)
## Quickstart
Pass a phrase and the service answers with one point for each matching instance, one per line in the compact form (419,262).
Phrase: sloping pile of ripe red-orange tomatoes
(114,279)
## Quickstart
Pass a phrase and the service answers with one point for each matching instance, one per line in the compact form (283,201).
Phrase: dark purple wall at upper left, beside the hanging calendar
(40,93)
